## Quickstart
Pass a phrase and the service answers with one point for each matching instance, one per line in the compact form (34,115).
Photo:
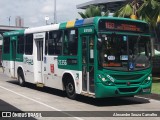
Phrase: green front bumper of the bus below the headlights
(102,90)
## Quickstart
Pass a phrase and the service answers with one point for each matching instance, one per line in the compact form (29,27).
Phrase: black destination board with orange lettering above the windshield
(123,26)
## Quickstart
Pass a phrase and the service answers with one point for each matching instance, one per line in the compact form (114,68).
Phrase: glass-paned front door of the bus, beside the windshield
(88,64)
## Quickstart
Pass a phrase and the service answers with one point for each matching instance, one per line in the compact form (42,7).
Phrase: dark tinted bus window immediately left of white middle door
(29,44)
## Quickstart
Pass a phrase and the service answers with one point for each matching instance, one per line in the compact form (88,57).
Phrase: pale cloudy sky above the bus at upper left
(34,11)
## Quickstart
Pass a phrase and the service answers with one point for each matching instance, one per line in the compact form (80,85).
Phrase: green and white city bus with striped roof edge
(98,57)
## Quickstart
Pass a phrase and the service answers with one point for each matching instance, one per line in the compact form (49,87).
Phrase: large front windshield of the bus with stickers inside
(125,53)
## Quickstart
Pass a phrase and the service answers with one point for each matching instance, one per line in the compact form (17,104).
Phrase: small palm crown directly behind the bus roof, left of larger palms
(93,11)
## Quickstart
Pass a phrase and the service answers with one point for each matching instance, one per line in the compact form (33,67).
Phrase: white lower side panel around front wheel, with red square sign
(53,75)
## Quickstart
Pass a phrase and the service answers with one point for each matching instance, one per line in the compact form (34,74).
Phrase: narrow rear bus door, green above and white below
(13,56)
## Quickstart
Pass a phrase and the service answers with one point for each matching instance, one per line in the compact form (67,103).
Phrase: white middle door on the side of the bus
(38,57)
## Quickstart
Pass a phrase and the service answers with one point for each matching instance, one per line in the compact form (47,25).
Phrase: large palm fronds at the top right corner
(148,11)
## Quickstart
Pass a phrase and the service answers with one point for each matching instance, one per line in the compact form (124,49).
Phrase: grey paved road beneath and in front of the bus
(37,100)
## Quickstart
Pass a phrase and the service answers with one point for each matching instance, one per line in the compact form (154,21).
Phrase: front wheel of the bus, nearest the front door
(70,89)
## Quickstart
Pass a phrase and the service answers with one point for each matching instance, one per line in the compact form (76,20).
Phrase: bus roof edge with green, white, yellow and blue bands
(64,25)
